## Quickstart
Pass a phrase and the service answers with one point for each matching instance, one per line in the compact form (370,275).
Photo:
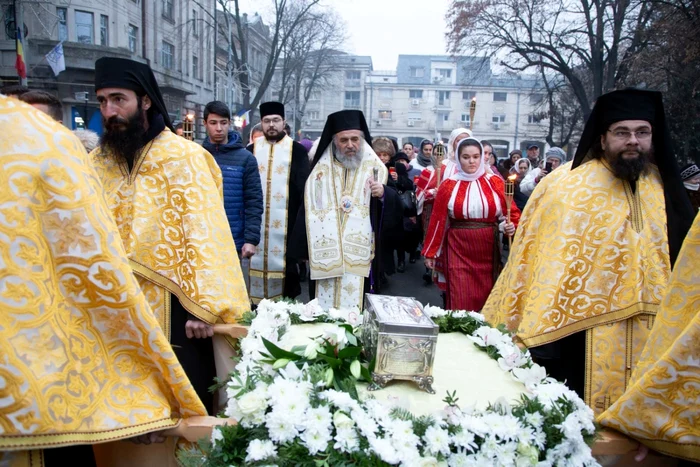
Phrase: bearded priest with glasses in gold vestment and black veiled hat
(594,250)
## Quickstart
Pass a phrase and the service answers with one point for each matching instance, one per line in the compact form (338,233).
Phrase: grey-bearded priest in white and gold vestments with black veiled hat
(346,201)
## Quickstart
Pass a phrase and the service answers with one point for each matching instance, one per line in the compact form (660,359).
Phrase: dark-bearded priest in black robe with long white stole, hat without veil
(284,166)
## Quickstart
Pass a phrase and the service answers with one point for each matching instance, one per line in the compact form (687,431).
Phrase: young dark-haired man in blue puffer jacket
(242,191)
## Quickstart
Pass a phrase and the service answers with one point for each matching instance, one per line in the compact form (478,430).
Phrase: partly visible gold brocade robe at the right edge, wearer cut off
(661,408)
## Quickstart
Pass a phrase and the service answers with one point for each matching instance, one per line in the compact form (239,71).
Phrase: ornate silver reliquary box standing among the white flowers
(401,339)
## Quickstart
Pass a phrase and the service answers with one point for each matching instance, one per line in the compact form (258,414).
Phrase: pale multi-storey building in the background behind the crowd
(427,97)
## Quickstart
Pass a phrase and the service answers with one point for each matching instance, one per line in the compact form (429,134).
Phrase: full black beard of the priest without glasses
(124,143)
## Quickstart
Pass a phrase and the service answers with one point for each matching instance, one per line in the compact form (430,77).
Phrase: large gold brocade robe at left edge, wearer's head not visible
(82,358)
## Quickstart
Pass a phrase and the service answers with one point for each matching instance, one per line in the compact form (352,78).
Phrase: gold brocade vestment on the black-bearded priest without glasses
(171,218)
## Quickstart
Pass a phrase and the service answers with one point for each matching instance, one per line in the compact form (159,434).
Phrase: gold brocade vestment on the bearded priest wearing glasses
(589,255)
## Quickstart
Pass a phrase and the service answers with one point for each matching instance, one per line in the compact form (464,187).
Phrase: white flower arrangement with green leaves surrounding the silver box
(292,414)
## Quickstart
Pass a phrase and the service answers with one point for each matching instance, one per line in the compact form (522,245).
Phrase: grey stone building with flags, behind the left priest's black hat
(175,37)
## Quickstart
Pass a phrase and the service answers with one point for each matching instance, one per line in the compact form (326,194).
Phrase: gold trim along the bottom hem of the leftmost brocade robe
(43,441)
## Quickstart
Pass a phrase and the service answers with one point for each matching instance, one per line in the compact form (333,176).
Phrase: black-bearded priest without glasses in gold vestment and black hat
(165,194)
